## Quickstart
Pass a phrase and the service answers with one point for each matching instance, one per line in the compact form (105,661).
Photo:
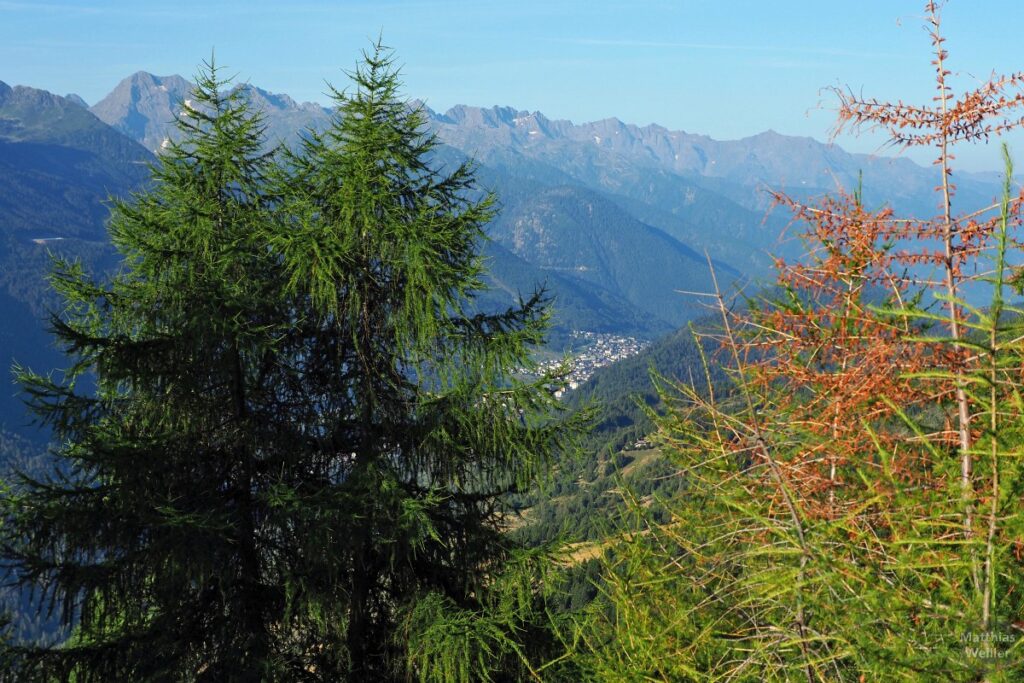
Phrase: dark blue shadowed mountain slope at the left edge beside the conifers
(59,166)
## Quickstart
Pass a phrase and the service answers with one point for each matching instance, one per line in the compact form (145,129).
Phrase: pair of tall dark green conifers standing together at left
(286,437)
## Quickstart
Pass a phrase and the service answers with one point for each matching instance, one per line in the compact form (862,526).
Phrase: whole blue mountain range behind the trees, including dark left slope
(615,220)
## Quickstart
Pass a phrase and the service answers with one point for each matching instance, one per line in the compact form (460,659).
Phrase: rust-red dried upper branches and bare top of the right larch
(846,343)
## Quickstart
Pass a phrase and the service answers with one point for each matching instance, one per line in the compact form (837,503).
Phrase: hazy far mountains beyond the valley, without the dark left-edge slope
(708,196)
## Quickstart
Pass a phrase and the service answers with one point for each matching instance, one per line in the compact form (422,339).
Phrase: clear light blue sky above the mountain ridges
(728,69)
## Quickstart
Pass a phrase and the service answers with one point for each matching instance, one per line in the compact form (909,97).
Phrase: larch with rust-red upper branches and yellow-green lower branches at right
(855,506)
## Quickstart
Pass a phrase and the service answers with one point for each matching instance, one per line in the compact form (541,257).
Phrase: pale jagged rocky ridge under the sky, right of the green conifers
(733,168)
